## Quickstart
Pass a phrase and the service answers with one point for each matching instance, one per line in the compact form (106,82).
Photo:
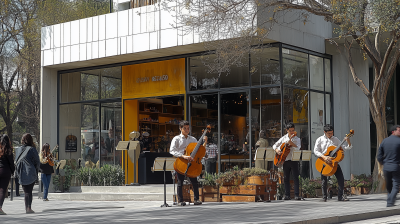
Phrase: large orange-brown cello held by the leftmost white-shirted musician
(195,150)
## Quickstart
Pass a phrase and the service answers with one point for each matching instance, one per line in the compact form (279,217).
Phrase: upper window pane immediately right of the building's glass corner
(295,68)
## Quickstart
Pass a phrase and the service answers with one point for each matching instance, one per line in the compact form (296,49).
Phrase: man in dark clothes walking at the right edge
(389,157)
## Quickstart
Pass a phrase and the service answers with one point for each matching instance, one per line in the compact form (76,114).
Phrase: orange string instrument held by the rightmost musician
(336,153)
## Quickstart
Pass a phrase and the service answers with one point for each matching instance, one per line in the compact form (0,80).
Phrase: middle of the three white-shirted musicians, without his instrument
(289,165)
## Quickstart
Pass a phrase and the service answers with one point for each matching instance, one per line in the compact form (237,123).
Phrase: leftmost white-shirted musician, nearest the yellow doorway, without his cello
(177,149)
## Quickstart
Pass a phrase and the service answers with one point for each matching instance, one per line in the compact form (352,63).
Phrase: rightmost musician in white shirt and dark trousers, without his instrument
(320,148)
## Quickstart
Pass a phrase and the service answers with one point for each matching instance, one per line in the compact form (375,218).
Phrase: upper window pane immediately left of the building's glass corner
(264,66)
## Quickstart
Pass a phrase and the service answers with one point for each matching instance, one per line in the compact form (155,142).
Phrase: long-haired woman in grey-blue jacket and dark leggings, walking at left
(27,166)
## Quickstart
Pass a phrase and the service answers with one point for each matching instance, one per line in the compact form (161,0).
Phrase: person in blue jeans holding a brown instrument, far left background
(46,169)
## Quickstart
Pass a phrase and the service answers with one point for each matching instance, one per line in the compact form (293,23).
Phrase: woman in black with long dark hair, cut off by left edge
(6,168)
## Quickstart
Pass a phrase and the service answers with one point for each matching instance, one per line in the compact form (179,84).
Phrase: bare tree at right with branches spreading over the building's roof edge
(361,23)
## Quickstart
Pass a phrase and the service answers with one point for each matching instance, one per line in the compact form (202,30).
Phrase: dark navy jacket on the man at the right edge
(389,153)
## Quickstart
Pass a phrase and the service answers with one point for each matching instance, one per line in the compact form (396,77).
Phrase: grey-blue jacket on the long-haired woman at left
(29,167)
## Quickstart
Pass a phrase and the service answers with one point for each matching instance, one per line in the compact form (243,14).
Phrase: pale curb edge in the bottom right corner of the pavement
(350,217)
